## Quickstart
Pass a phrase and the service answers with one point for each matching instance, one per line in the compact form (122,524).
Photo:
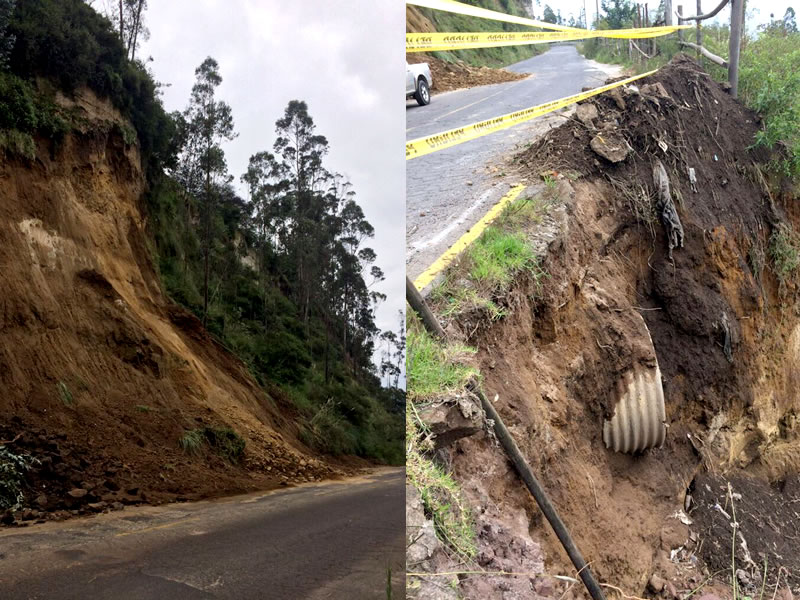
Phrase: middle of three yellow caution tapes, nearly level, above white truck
(435,41)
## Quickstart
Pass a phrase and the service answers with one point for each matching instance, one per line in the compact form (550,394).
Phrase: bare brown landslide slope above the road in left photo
(101,374)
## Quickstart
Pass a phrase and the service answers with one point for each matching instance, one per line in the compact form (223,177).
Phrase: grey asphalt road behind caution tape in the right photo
(449,191)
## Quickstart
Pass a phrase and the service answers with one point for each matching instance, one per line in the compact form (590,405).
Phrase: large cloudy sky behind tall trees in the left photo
(344,58)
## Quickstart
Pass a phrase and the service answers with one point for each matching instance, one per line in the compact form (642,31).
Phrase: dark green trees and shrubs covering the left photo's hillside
(281,275)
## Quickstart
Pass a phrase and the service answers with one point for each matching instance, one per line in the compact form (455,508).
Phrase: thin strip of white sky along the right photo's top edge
(757,12)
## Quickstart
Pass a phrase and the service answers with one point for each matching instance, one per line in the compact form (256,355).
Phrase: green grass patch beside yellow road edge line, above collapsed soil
(482,276)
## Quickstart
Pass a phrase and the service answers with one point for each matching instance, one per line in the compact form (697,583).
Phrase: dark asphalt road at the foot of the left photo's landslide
(326,540)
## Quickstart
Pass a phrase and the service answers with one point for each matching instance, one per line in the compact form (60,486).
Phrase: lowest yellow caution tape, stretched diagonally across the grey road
(446,139)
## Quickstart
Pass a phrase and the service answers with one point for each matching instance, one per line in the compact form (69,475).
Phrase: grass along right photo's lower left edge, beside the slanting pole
(436,372)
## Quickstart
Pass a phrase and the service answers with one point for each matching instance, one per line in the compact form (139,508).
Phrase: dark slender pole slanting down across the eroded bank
(417,302)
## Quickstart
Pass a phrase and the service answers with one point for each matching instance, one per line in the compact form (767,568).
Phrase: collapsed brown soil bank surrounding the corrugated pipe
(720,314)
